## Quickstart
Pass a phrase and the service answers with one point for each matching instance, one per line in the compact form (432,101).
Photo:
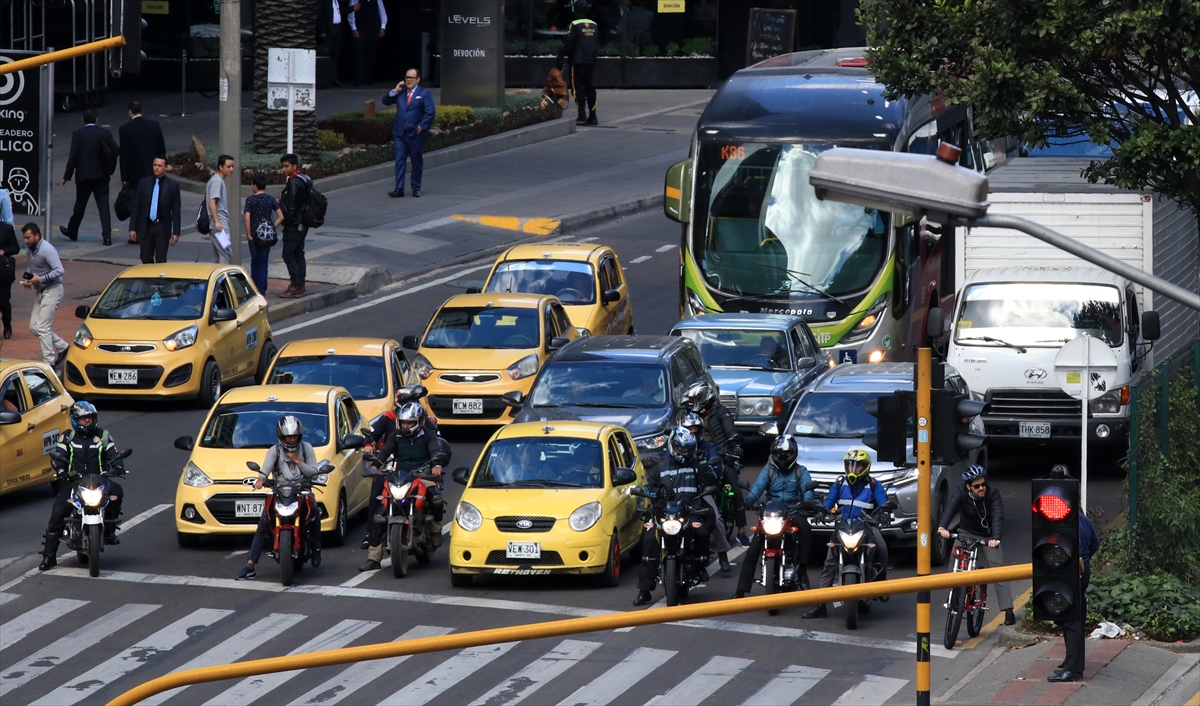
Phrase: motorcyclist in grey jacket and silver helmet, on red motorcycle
(291,460)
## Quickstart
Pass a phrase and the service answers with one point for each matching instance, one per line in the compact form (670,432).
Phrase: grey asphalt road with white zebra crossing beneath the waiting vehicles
(157,608)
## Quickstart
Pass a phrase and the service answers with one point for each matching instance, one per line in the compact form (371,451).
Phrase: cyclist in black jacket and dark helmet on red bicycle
(981,510)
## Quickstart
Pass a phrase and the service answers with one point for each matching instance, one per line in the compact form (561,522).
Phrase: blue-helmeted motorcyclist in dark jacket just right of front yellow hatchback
(681,476)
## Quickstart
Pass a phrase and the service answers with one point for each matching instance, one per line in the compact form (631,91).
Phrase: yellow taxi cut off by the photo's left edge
(34,411)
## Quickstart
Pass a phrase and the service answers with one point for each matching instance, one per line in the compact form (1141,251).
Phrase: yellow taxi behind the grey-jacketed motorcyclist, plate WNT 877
(217,490)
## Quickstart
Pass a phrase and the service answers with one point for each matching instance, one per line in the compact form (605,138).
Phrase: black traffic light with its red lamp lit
(1055,548)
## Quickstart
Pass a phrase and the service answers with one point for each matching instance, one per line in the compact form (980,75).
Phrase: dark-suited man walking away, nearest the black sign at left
(92,163)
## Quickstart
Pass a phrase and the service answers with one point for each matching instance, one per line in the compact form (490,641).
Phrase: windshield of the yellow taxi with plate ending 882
(484,328)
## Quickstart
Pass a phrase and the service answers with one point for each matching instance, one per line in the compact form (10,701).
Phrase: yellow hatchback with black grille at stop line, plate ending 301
(549,499)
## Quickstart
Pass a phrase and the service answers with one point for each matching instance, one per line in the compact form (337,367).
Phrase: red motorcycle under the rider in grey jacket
(290,512)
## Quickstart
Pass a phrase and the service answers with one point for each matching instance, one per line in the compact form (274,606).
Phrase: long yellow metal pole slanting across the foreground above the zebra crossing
(571,627)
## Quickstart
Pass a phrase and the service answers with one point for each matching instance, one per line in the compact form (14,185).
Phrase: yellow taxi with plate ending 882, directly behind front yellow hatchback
(479,348)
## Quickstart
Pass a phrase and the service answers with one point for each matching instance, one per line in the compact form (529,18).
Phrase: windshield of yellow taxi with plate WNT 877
(251,426)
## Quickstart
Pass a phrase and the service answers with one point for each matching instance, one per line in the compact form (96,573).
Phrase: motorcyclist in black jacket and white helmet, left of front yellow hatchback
(413,446)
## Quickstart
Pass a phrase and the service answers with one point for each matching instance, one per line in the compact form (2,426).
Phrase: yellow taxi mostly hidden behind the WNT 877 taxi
(371,369)
